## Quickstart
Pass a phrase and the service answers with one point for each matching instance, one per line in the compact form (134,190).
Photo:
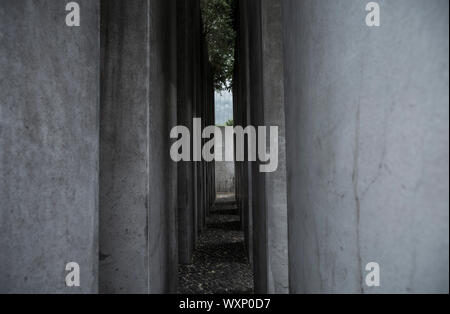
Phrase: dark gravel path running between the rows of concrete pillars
(220,265)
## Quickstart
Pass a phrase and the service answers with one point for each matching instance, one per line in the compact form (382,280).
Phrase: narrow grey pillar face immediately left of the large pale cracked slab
(273,104)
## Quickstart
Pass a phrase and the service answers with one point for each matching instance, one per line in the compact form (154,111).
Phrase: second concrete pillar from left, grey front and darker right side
(138,242)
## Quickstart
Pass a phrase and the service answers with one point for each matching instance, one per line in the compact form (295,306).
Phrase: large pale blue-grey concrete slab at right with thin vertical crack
(367,145)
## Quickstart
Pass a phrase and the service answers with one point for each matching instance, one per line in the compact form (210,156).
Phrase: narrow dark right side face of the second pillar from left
(163,116)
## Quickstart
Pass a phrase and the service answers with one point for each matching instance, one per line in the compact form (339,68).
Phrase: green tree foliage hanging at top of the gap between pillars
(218,21)
